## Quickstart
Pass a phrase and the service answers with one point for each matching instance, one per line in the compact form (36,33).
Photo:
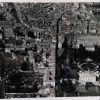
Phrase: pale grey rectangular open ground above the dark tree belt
(89,41)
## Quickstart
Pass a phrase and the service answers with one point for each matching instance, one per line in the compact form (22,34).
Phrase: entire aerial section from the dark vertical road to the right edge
(78,50)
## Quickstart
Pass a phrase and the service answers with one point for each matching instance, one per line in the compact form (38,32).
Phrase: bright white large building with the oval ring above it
(89,74)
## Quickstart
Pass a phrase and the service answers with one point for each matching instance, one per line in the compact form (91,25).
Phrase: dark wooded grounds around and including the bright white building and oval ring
(80,67)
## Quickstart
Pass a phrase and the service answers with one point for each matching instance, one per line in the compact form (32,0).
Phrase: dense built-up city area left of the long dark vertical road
(27,51)
